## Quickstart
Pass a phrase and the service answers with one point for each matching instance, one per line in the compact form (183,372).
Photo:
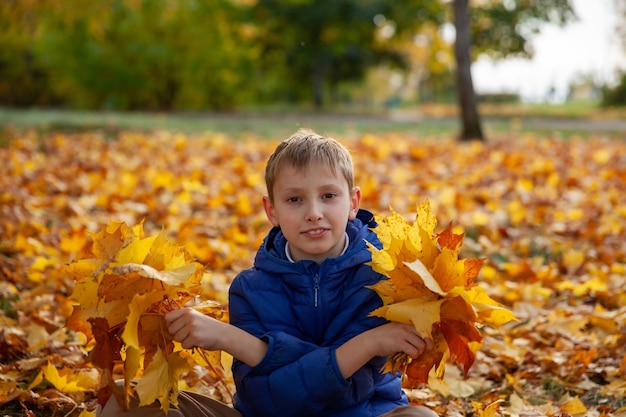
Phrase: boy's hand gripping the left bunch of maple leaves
(194,329)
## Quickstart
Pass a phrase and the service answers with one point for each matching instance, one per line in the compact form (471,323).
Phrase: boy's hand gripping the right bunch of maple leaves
(392,338)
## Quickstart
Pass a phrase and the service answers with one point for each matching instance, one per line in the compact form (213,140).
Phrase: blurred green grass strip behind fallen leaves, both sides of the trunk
(423,121)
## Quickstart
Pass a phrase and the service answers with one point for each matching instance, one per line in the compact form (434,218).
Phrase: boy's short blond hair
(303,148)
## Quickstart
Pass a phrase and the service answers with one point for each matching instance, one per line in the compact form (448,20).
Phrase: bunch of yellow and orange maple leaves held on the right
(430,287)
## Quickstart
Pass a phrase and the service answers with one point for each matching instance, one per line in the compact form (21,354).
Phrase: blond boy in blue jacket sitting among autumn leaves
(300,331)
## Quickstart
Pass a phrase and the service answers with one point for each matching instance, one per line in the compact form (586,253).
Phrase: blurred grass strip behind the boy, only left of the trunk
(269,125)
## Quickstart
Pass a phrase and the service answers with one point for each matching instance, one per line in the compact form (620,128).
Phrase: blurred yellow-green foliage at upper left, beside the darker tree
(142,54)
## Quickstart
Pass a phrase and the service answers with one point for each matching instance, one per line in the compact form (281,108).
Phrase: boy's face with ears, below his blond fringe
(312,207)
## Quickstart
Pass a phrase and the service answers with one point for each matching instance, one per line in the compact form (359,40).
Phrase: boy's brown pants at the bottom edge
(191,404)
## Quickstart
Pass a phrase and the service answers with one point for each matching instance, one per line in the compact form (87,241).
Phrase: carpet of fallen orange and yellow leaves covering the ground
(548,214)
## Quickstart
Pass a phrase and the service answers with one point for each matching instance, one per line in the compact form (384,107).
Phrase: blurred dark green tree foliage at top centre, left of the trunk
(310,46)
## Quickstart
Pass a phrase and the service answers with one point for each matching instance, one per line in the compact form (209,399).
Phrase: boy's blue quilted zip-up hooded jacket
(304,311)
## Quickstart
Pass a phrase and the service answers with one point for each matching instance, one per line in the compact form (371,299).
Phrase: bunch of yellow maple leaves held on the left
(123,288)
